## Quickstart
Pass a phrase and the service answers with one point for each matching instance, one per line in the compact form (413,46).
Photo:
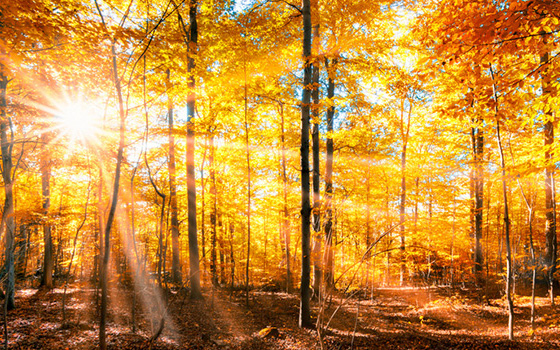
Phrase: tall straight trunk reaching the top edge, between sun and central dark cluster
(191,181)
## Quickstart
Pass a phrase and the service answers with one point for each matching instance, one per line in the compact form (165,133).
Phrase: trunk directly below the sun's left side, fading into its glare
(48,263)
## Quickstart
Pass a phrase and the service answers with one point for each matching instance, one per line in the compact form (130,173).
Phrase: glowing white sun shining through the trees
(79,120)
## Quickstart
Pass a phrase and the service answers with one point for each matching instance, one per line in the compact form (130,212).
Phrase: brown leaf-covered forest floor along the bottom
(391,318)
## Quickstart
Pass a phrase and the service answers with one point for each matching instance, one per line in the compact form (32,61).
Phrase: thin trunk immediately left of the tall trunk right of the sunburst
(176,261)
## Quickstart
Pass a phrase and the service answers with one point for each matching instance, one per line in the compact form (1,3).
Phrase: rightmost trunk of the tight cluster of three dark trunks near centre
(329,258)
